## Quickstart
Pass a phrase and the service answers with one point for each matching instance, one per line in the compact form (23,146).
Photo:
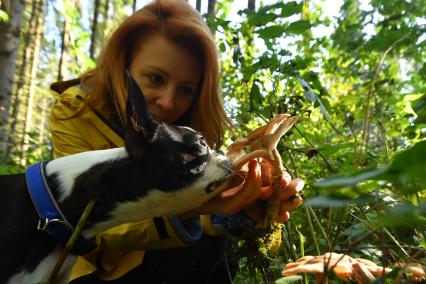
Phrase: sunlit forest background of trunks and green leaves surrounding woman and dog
(352,71)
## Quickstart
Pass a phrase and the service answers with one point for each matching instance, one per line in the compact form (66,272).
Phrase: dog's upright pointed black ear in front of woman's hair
(140,125)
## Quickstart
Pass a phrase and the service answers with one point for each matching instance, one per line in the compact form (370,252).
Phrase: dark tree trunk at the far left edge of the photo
(9,42)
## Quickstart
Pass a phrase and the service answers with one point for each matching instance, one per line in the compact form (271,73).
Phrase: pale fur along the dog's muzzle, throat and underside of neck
(159,203)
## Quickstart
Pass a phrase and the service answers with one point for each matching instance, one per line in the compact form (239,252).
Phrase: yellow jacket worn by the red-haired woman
(119,249)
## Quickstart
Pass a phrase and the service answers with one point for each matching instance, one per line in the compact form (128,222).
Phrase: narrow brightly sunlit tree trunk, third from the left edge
(33,74)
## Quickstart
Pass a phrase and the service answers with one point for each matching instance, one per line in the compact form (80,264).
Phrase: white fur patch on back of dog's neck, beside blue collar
(69,167)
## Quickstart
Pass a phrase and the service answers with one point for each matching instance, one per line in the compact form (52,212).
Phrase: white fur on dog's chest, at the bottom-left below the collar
(42,272)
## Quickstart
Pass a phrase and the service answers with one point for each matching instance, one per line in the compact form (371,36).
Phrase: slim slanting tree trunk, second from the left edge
(22,80)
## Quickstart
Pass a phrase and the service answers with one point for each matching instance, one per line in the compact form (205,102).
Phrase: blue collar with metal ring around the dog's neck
(51,218)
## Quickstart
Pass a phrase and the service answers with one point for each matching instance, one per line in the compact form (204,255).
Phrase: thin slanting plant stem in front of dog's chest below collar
(71,241)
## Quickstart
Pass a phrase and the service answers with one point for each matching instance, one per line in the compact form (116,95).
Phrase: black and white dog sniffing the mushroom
(162,169)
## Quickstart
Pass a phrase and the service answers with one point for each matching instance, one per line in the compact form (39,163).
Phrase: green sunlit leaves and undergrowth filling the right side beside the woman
(360,141)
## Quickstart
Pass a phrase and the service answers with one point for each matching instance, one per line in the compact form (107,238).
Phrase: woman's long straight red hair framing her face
(180,23)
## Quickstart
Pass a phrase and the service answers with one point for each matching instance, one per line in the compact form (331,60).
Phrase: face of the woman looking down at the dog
(168,75)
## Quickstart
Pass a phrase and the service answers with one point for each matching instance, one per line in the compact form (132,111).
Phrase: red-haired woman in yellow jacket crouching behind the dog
(171,54)
